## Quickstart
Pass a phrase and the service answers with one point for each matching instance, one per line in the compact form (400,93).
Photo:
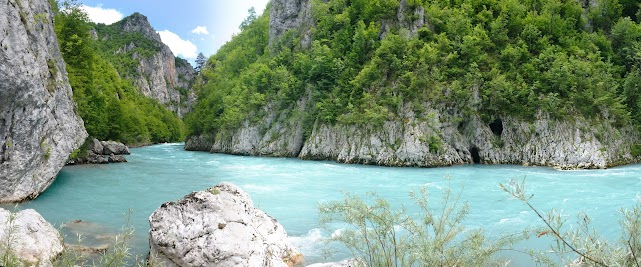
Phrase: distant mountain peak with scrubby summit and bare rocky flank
(156,72)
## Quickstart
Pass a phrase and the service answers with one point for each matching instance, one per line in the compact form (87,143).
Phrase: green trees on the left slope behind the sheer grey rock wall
(111,107)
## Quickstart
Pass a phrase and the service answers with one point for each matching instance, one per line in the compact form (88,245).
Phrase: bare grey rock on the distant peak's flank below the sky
(161,76)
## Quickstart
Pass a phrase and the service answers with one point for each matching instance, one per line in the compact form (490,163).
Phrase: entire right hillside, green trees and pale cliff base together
(425,83)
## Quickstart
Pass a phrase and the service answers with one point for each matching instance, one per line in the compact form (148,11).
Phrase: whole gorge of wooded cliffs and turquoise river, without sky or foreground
(466,84)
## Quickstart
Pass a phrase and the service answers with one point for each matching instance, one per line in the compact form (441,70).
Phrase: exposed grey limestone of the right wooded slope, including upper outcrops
(439,135)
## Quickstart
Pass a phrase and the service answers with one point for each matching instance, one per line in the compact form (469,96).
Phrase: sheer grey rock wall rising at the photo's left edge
(38,126)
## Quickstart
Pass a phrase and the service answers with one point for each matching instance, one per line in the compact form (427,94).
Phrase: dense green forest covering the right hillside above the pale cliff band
(490,58)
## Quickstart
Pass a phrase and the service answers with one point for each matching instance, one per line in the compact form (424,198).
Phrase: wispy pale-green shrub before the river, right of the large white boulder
(381,235)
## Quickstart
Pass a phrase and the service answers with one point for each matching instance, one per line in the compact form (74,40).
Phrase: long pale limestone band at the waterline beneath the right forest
(441,140)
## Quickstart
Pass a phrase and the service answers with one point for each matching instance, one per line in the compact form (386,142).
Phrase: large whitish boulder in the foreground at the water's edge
(218,227)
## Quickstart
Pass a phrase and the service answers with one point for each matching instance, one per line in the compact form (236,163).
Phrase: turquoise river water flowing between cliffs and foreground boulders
(290,190)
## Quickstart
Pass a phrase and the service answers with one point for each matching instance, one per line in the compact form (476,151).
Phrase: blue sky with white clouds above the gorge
(188,27)
